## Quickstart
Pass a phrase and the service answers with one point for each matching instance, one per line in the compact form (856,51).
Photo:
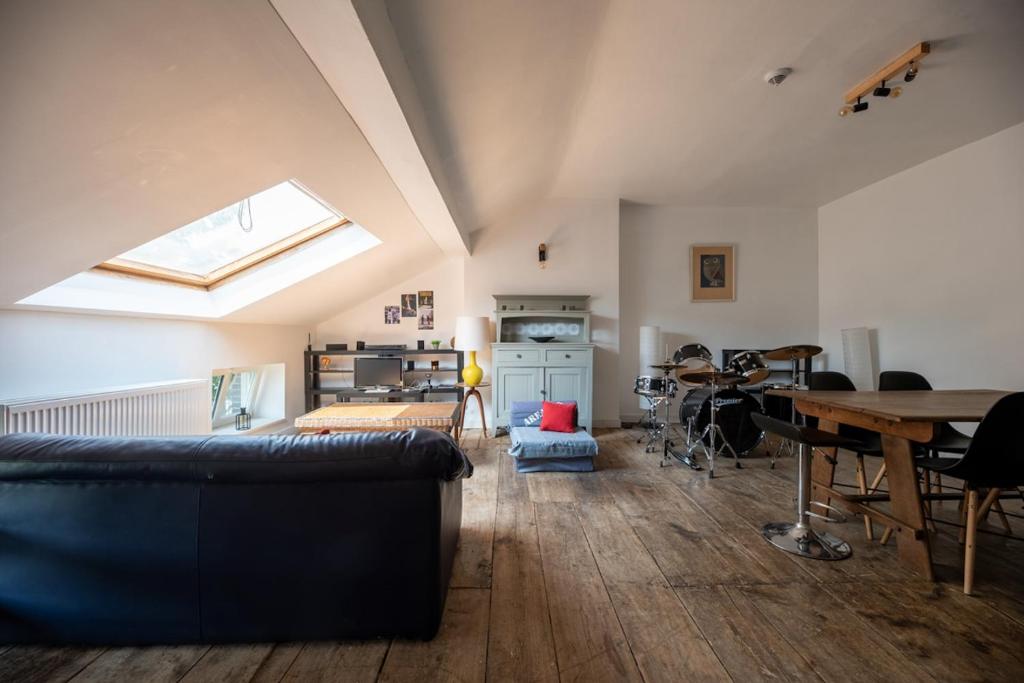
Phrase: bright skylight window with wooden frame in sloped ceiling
(238,237)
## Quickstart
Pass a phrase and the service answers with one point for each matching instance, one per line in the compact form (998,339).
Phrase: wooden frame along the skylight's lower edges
(216,278)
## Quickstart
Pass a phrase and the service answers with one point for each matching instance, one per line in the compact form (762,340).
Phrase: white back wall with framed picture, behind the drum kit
(777,282)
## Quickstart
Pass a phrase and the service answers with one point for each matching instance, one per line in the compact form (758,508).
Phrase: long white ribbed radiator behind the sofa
(160,409)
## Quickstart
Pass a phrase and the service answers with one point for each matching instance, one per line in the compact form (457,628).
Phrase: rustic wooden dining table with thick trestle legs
(903,418)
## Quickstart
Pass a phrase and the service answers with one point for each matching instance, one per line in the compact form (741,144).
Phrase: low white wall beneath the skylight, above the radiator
(47,354)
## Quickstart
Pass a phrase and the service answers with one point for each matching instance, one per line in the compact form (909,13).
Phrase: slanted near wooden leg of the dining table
(913,542)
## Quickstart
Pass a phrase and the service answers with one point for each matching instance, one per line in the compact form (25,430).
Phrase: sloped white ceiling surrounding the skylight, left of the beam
(125,120)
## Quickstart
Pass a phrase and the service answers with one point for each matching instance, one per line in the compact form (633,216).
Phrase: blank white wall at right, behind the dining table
(931,259)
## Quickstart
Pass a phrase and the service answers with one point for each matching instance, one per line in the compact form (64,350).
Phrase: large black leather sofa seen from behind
(228,539)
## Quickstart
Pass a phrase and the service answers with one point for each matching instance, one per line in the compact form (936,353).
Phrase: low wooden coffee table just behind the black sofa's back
(379,417)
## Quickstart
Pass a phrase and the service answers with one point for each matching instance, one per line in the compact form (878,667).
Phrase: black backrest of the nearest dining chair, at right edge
(997,454)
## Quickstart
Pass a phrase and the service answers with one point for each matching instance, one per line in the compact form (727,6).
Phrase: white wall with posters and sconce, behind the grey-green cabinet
(583,251)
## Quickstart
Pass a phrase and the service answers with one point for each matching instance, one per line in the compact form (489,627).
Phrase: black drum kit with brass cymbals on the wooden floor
(717,415)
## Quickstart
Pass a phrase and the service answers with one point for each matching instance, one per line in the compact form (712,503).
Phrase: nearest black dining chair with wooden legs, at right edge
(994,461)
